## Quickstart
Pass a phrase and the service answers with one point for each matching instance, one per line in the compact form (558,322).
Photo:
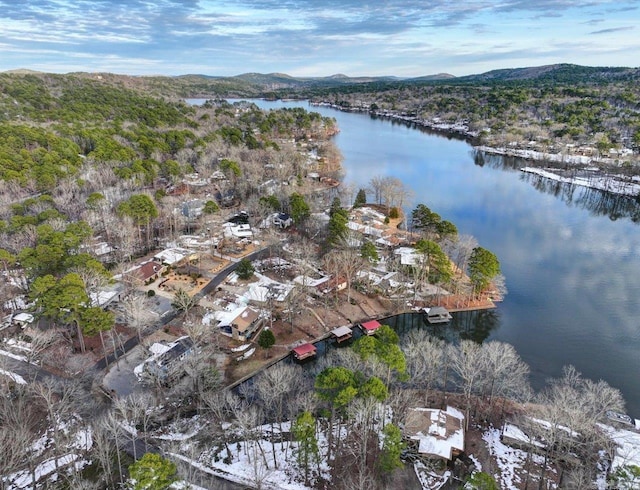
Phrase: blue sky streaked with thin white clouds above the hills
(315,37)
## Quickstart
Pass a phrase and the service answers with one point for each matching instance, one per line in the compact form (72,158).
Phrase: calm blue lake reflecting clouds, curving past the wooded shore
(570,255)
